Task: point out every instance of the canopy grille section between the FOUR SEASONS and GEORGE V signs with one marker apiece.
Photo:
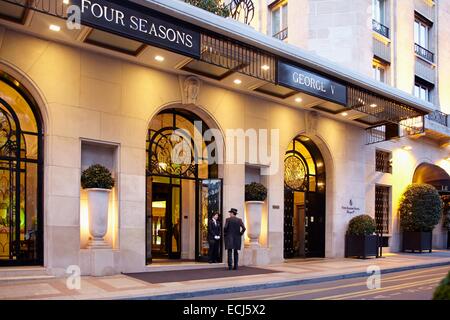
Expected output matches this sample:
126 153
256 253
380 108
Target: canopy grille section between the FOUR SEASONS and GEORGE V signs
238 58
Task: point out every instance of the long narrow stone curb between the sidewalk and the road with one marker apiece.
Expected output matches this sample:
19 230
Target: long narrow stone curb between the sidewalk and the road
281 284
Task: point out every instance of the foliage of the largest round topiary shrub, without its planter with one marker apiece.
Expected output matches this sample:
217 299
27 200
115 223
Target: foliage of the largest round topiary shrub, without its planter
420 208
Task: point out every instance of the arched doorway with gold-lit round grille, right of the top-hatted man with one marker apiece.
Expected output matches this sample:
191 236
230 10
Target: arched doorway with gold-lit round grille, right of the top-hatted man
304 200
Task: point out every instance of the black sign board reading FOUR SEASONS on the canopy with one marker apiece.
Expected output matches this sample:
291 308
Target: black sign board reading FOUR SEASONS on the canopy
141 25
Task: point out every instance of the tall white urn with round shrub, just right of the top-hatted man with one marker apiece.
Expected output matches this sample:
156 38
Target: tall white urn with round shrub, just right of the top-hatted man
255 195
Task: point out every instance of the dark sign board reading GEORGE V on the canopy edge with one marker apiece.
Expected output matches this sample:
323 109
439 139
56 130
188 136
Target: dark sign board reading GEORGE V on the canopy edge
306 81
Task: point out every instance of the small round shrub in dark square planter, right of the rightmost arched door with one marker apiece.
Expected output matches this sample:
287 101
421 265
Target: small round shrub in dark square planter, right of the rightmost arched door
360 240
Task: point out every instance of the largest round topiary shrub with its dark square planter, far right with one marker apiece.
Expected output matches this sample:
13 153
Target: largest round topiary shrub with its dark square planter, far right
420 211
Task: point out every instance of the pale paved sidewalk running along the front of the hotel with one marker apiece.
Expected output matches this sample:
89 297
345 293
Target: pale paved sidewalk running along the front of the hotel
289 273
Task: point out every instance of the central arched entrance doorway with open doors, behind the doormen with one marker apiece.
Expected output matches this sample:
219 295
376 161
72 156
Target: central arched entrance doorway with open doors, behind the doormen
183 188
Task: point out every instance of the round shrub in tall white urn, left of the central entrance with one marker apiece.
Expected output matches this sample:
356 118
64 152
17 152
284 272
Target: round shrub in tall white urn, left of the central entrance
98 182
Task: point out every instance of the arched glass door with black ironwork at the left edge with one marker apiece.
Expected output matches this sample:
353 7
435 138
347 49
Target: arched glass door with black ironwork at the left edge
21 236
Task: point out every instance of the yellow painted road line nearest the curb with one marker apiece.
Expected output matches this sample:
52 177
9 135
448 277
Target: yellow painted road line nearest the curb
275 296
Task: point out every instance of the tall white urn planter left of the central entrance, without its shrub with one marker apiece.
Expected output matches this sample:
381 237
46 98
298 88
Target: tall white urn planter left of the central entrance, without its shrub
98 203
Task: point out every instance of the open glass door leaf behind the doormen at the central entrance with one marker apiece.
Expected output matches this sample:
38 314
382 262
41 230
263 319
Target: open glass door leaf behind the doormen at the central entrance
209 203
